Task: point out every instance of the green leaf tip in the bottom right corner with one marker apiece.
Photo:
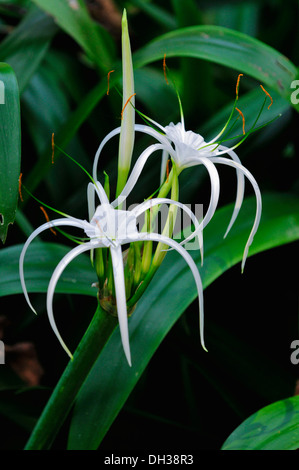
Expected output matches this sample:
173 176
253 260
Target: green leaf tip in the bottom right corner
275 427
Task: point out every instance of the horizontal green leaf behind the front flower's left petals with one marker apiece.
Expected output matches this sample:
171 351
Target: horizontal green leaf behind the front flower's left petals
40 262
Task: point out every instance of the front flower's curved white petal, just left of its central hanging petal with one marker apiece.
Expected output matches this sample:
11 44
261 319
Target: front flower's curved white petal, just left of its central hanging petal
52 284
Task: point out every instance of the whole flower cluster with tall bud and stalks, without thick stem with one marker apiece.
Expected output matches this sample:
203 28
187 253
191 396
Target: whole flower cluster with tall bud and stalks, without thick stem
124 274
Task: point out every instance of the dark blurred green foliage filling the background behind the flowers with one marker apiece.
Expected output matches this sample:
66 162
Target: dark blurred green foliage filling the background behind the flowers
61 52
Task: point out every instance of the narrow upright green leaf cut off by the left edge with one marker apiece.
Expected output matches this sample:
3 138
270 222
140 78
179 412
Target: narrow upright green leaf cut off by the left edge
10 147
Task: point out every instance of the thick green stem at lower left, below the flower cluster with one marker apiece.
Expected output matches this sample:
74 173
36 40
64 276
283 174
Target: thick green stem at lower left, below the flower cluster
60 403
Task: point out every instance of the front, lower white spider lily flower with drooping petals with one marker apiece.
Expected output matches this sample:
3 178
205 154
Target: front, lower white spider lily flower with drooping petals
111 228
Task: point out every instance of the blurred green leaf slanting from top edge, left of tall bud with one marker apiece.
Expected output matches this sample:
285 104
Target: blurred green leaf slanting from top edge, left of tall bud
75 20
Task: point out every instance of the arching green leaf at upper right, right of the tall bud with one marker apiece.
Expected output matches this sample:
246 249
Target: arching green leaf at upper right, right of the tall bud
226 47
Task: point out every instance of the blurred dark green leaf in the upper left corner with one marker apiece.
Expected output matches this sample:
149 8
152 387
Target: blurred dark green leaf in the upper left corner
27 45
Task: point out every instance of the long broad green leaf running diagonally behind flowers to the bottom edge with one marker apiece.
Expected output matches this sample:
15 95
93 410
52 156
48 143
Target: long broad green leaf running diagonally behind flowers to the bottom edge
172 290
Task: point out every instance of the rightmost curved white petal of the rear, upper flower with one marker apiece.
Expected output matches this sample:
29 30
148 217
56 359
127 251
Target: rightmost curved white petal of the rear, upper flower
226 161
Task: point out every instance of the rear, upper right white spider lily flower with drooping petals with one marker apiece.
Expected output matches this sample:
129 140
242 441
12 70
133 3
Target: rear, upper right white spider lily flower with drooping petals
188 149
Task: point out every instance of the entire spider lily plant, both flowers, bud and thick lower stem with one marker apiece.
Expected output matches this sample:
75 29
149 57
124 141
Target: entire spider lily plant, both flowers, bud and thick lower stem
125 251
